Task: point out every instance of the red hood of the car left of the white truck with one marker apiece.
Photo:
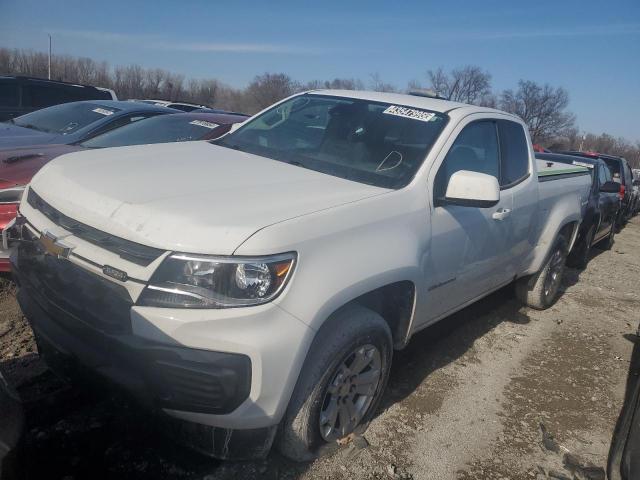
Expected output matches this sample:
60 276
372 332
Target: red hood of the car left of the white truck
19 165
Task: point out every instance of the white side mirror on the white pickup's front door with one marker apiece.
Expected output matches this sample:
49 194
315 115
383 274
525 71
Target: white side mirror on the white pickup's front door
472 189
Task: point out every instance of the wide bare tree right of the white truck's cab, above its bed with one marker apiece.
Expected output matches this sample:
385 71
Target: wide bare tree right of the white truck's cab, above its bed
542 107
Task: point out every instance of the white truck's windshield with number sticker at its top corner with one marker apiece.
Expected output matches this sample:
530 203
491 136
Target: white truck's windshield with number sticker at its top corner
369 142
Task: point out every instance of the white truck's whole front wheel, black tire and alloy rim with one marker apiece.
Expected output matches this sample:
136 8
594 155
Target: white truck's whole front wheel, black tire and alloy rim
352 334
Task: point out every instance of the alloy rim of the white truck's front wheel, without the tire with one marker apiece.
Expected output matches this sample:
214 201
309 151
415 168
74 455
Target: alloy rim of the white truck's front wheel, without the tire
350 392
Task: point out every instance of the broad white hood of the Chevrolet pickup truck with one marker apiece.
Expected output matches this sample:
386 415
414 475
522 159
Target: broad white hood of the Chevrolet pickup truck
192 197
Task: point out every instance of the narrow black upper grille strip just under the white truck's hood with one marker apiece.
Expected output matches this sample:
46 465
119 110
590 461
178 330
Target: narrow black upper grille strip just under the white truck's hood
126 249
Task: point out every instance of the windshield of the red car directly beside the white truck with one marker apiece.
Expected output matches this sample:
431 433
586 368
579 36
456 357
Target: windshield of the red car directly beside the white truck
161 129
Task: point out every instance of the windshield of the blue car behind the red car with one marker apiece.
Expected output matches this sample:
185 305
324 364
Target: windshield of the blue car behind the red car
65 118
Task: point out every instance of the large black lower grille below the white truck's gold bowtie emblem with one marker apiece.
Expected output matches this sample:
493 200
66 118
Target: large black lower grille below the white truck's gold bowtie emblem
70 293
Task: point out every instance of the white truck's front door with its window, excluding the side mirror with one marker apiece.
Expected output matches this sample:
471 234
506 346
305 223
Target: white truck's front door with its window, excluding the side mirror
469 253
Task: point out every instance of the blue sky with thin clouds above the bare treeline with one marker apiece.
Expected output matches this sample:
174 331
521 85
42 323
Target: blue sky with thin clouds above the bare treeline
589 47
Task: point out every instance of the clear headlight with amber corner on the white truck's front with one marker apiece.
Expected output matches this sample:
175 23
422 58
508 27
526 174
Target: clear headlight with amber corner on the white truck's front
194 281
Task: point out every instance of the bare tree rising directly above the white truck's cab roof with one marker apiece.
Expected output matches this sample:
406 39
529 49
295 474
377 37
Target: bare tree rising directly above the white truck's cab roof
465 84
